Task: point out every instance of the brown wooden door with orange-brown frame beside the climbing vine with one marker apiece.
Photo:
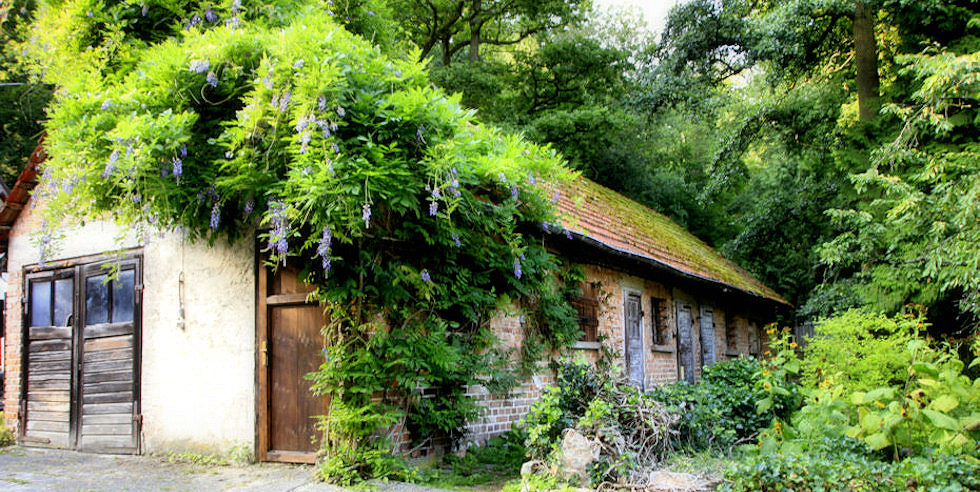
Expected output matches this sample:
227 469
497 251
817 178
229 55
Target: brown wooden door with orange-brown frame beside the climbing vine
290 346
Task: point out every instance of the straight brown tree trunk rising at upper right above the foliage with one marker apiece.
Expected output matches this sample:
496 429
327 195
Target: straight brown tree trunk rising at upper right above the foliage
866 60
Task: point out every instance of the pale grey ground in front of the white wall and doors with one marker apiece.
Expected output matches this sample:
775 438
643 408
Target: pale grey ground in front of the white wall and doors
30 469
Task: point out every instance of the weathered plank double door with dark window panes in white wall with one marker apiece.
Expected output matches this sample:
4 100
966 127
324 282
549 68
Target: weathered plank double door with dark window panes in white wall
81 356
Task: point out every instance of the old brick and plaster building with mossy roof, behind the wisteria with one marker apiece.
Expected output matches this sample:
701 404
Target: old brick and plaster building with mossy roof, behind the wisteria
196 348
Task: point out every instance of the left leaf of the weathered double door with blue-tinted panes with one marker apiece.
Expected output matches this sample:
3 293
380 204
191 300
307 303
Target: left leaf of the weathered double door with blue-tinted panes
48 359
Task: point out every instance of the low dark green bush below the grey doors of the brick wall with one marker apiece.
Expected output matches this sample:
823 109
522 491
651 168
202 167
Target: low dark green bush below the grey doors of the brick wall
719 411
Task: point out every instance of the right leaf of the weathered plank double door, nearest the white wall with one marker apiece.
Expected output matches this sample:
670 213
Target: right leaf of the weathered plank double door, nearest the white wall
107 351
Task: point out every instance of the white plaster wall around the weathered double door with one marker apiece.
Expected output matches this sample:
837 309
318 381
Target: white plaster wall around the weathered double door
198 377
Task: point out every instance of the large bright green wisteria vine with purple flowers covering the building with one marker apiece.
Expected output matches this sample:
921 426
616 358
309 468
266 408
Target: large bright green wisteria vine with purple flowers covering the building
415 223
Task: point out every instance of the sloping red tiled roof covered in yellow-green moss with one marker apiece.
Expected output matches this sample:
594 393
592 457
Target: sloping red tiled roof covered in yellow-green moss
600 214
